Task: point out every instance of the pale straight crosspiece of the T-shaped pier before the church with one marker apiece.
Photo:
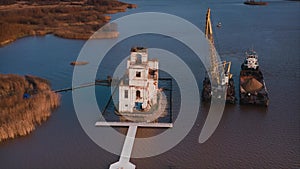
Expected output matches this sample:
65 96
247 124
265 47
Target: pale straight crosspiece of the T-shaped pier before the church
126 124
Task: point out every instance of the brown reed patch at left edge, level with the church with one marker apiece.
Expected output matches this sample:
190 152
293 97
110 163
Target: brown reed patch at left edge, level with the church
18 115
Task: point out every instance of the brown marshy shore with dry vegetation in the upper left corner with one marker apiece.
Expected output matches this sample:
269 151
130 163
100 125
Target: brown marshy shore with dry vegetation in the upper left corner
67 19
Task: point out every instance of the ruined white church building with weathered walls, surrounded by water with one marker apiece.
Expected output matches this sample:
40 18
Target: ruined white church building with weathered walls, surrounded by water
139 88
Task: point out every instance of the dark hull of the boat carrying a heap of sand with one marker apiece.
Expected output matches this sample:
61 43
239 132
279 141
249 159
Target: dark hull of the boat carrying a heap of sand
257 96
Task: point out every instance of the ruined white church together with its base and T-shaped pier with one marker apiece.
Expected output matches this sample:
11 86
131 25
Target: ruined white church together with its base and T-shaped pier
138 93
